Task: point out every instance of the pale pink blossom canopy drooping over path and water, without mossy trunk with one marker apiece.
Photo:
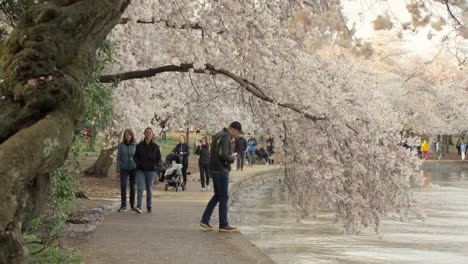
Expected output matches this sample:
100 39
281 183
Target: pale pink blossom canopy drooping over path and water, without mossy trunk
342 126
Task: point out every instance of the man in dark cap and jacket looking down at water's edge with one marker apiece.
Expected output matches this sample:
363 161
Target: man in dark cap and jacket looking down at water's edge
221 159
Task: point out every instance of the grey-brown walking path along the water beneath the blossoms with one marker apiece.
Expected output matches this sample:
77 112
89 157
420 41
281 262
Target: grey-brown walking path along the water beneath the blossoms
170 234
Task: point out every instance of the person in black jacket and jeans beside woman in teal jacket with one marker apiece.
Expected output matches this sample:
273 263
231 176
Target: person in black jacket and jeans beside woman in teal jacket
147 157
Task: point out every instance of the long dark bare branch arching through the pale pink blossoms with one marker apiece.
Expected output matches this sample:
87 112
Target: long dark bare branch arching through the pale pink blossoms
209 69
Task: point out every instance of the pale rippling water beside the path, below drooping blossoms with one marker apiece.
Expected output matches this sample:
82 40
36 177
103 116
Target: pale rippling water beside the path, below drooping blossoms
267 218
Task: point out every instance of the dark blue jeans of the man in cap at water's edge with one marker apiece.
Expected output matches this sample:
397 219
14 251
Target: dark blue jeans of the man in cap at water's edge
221 195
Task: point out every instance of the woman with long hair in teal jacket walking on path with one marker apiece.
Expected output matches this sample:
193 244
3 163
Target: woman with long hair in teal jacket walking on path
126 169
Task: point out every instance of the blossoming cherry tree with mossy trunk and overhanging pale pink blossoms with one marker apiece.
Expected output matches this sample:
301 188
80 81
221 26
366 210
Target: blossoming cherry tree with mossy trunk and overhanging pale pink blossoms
262 62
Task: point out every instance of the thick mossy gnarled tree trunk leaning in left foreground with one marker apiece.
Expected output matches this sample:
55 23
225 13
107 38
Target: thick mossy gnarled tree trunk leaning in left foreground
44 66
